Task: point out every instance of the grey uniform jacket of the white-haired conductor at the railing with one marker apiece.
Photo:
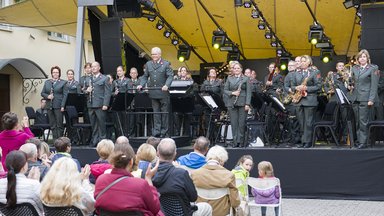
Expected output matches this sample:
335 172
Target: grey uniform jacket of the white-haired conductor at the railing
157 74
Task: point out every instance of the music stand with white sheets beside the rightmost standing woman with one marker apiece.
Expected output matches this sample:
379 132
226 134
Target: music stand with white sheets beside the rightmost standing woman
350 118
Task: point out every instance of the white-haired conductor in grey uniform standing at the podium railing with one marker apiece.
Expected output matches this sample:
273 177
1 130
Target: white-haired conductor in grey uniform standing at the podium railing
158 75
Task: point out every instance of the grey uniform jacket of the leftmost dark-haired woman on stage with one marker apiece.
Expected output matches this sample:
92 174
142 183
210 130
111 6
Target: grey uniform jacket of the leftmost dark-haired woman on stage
59 93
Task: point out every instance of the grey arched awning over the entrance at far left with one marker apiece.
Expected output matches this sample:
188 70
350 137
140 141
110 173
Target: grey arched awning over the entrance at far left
26 68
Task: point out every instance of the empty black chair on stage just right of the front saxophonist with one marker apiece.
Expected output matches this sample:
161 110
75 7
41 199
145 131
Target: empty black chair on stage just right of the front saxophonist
329 120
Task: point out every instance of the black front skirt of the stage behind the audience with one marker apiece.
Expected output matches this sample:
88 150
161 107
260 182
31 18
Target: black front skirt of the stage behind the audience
332 173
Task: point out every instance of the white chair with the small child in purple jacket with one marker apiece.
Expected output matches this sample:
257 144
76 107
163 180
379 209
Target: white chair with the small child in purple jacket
264 184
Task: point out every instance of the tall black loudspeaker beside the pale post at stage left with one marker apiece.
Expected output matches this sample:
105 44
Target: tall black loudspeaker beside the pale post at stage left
110 34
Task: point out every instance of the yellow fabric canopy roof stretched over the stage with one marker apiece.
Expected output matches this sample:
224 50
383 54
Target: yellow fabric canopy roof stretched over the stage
290 21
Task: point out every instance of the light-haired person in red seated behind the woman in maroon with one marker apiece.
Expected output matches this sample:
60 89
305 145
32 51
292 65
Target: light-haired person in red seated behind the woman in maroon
104 149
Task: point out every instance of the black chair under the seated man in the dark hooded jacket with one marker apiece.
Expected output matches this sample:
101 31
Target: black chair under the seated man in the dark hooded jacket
173 205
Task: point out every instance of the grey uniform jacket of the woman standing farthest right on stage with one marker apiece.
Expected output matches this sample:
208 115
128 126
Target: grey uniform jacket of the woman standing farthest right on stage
366 83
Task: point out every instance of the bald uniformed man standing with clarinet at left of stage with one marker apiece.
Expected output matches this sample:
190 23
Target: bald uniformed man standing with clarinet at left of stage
99 92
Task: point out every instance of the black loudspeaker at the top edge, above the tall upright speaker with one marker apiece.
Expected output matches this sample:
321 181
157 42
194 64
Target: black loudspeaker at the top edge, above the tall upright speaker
125 9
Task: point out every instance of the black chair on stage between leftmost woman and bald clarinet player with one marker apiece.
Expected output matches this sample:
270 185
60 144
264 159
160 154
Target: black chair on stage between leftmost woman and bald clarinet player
73 122
